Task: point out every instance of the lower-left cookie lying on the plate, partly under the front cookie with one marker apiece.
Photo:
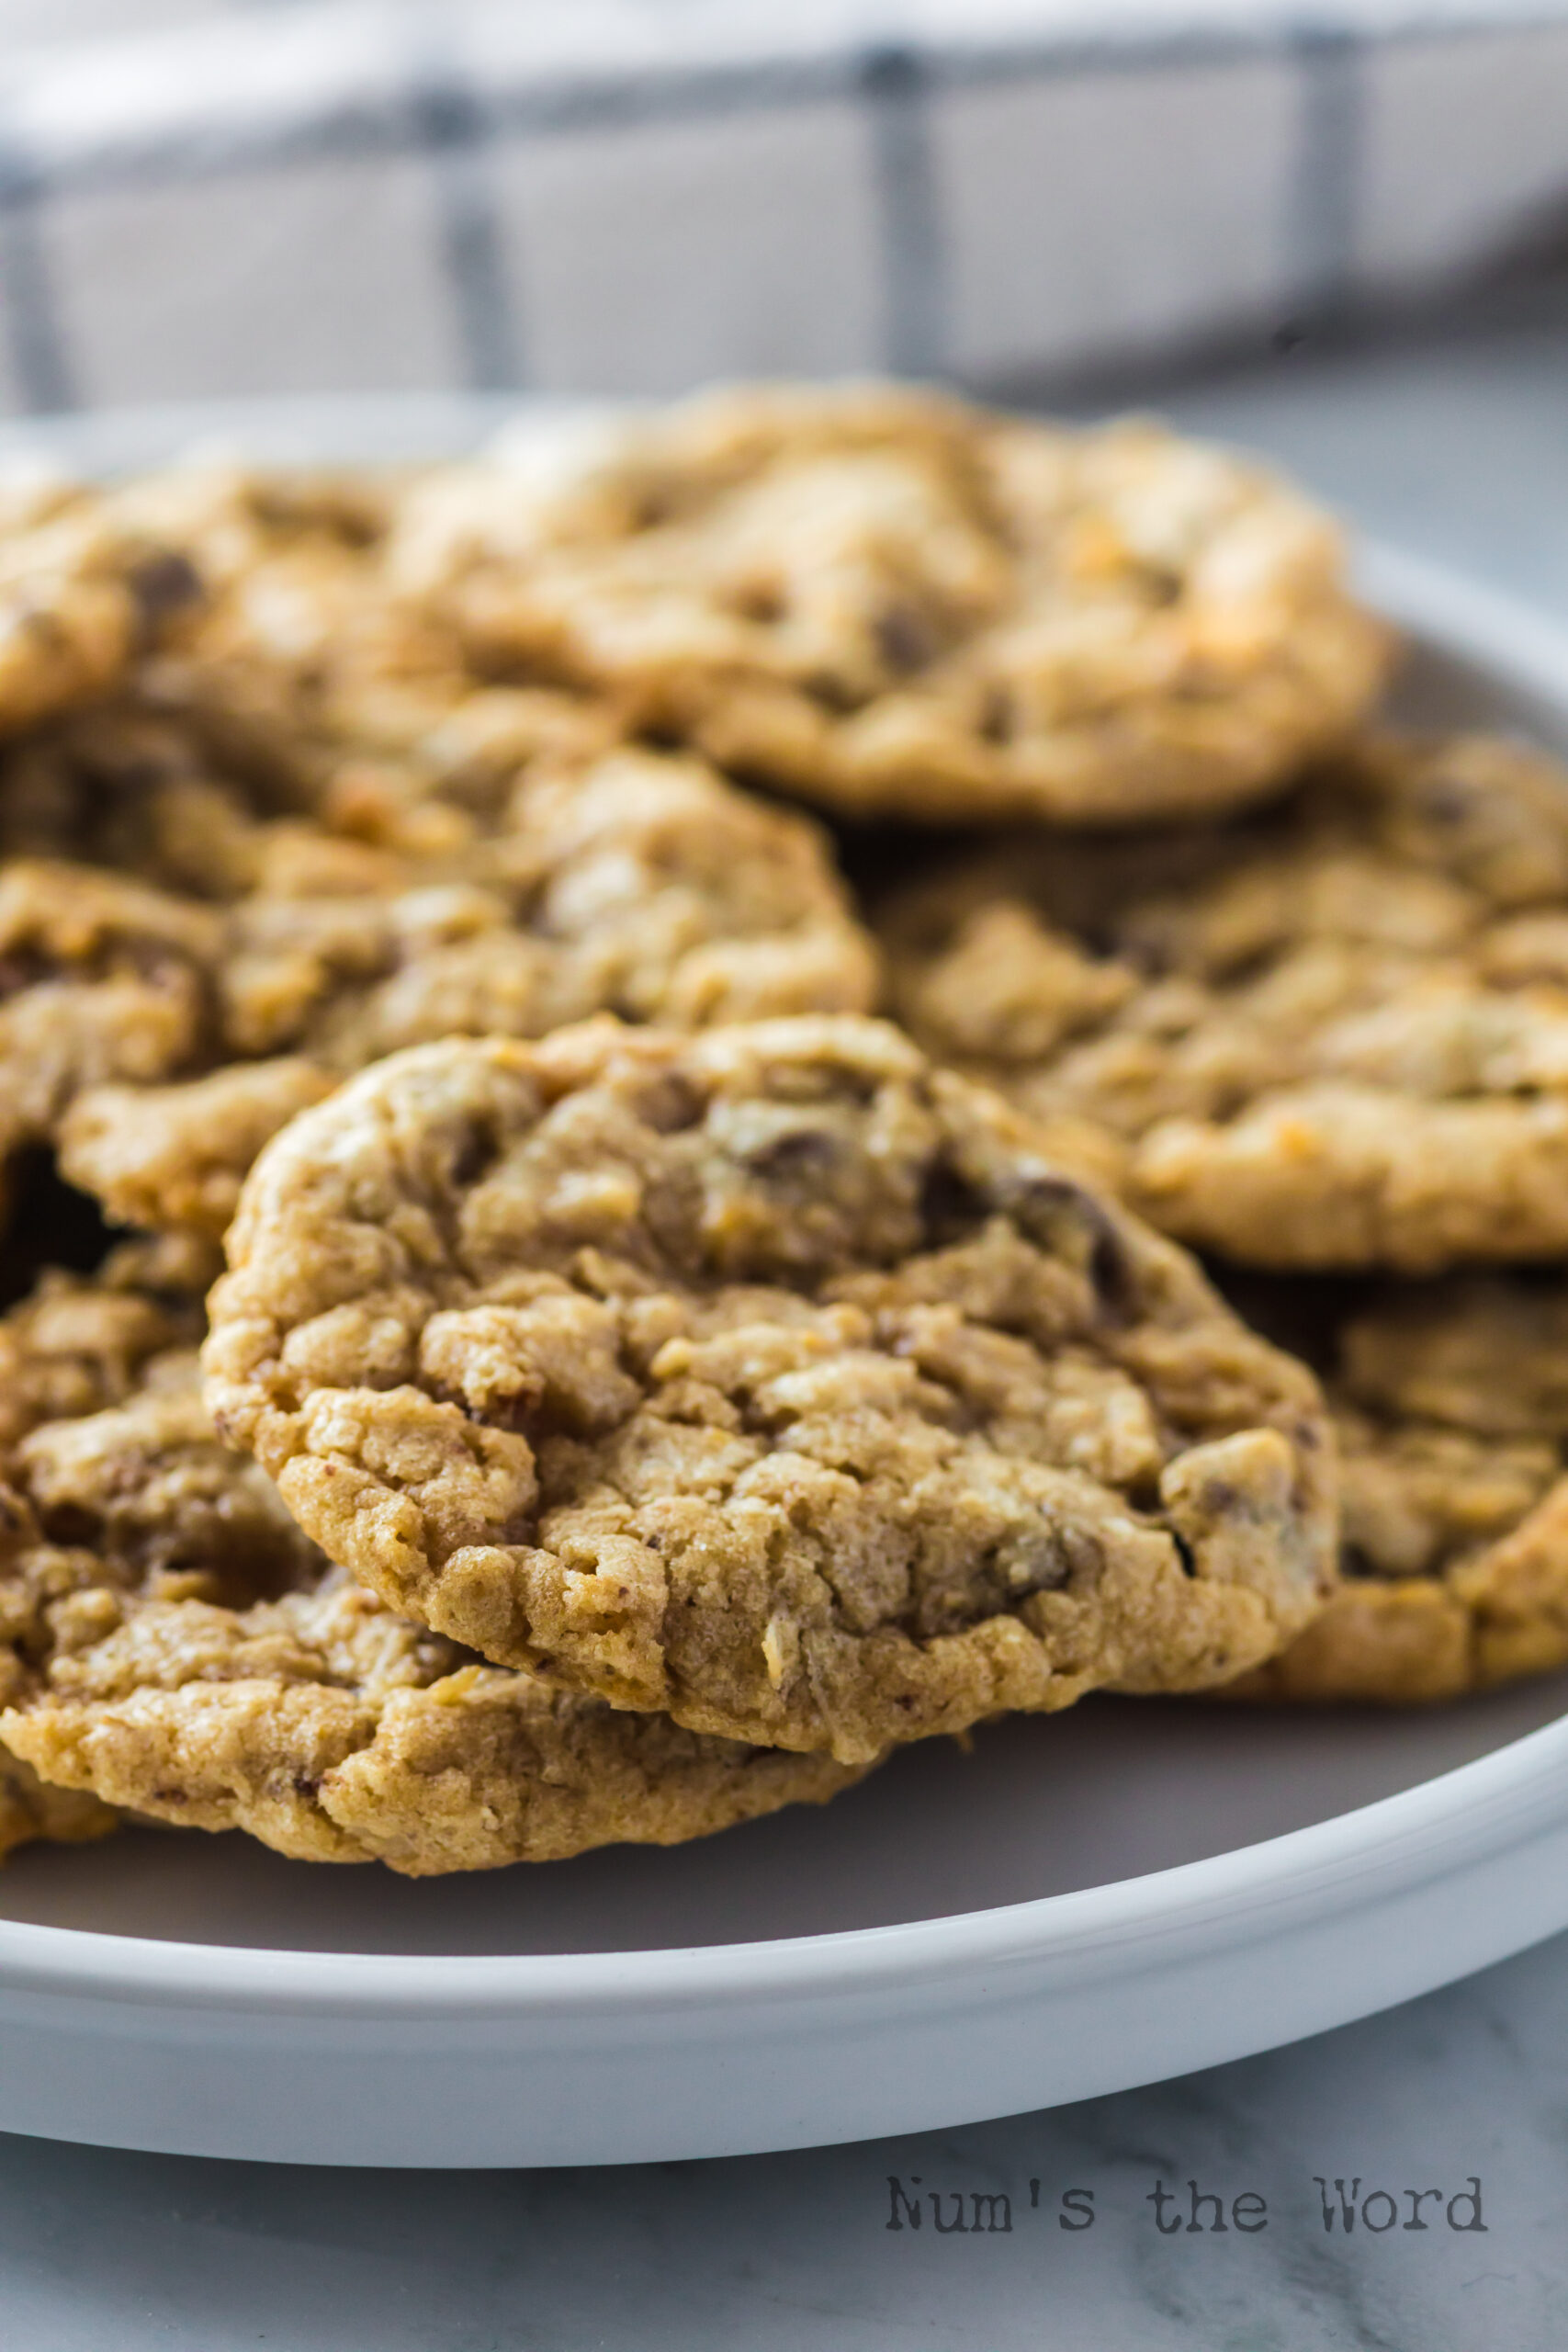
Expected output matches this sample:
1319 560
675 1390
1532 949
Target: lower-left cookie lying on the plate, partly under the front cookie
173 1645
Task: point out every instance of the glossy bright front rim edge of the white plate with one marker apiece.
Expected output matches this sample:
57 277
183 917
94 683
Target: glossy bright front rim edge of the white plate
1499 1800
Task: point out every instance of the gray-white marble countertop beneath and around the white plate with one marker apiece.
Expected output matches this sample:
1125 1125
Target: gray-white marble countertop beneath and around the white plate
1461 455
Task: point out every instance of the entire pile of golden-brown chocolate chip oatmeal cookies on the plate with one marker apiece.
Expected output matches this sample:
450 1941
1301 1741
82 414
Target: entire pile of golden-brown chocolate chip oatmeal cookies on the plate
648 1387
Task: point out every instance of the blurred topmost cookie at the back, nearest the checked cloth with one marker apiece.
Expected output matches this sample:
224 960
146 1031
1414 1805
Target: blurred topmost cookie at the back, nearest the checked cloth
892 603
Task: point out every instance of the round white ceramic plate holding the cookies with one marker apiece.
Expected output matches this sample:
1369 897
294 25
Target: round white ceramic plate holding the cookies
1078 1906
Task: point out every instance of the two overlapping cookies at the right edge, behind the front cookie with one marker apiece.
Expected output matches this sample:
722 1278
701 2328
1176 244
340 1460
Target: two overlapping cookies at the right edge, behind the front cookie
1329 1048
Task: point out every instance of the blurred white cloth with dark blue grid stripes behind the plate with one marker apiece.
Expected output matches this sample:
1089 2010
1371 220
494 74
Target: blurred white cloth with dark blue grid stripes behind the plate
1045 199
